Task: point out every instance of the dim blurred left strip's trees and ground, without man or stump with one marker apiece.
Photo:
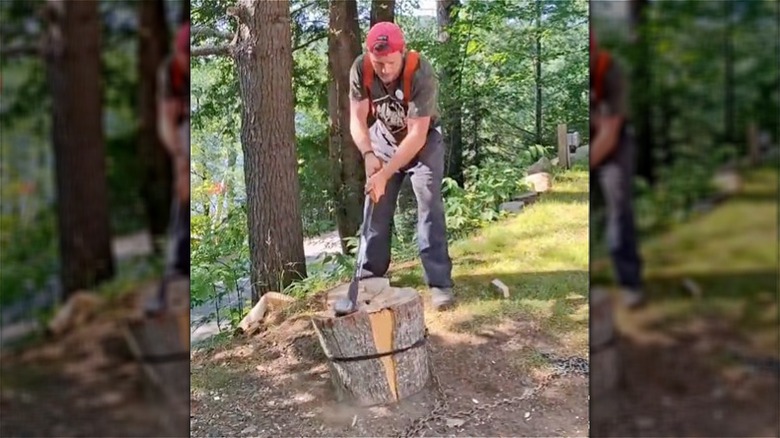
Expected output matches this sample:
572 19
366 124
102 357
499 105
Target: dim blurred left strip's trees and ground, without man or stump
86 195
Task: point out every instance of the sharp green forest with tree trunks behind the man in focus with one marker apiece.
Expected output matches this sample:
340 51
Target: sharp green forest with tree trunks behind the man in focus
509 73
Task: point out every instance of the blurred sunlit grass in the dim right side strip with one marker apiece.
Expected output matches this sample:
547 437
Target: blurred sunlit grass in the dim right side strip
731 255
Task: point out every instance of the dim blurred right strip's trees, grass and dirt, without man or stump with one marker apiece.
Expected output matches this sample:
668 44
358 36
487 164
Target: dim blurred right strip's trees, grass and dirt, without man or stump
701 357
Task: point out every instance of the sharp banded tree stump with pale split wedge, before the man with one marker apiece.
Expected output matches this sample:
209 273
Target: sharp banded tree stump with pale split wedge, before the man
376 355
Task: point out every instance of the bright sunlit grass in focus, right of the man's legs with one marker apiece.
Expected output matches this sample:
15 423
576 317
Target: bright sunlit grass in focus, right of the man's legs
541 255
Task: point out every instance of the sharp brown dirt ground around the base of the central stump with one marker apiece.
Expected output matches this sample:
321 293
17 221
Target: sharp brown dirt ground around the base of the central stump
278 384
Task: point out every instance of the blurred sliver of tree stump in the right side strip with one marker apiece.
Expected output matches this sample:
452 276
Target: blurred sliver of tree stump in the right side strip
604 363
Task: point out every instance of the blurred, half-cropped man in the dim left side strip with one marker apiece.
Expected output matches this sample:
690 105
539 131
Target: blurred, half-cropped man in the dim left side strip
173 114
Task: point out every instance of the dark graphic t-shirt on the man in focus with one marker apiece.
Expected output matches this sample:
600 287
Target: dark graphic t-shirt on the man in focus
389 129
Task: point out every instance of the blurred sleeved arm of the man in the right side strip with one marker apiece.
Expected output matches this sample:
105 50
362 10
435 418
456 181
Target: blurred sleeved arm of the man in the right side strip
610 124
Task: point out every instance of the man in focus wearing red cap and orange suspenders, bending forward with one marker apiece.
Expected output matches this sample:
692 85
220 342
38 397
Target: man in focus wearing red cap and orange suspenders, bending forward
405 139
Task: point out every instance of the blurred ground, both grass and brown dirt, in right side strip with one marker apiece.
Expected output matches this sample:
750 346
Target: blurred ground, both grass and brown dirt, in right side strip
701 359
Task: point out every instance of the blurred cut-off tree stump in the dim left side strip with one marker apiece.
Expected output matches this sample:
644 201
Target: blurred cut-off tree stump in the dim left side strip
161 345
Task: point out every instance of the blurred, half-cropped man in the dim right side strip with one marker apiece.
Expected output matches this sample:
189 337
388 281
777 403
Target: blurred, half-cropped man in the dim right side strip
612 162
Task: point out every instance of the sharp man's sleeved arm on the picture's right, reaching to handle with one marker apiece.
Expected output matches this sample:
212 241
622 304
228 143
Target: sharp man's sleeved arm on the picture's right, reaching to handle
422 105
